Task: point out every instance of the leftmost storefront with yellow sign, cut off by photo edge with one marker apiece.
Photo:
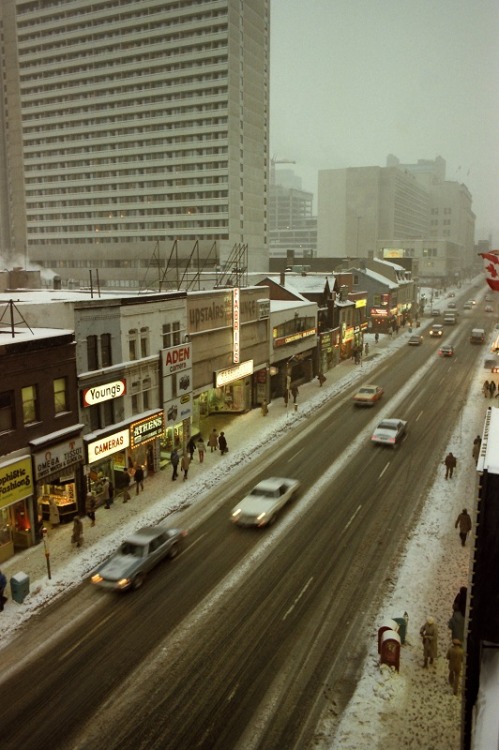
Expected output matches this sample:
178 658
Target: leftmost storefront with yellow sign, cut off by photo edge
17 519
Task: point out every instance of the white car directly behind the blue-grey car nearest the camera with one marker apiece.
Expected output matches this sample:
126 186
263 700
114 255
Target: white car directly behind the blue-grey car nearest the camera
261 506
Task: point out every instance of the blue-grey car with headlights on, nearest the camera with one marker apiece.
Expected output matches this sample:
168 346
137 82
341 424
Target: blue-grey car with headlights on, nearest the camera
136 556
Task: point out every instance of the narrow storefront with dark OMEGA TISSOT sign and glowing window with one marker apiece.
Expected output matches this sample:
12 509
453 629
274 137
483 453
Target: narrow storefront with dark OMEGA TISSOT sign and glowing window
57 468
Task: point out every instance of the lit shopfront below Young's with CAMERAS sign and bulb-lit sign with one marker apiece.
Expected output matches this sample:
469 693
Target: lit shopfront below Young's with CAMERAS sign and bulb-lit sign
115 455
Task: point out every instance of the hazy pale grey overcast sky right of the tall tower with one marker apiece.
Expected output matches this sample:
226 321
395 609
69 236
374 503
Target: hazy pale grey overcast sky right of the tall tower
355 80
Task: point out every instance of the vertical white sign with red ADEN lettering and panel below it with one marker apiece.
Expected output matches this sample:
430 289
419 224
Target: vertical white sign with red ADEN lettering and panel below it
177 382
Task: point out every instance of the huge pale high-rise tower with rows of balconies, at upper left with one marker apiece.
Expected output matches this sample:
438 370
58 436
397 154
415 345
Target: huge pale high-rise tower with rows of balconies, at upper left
133 130
